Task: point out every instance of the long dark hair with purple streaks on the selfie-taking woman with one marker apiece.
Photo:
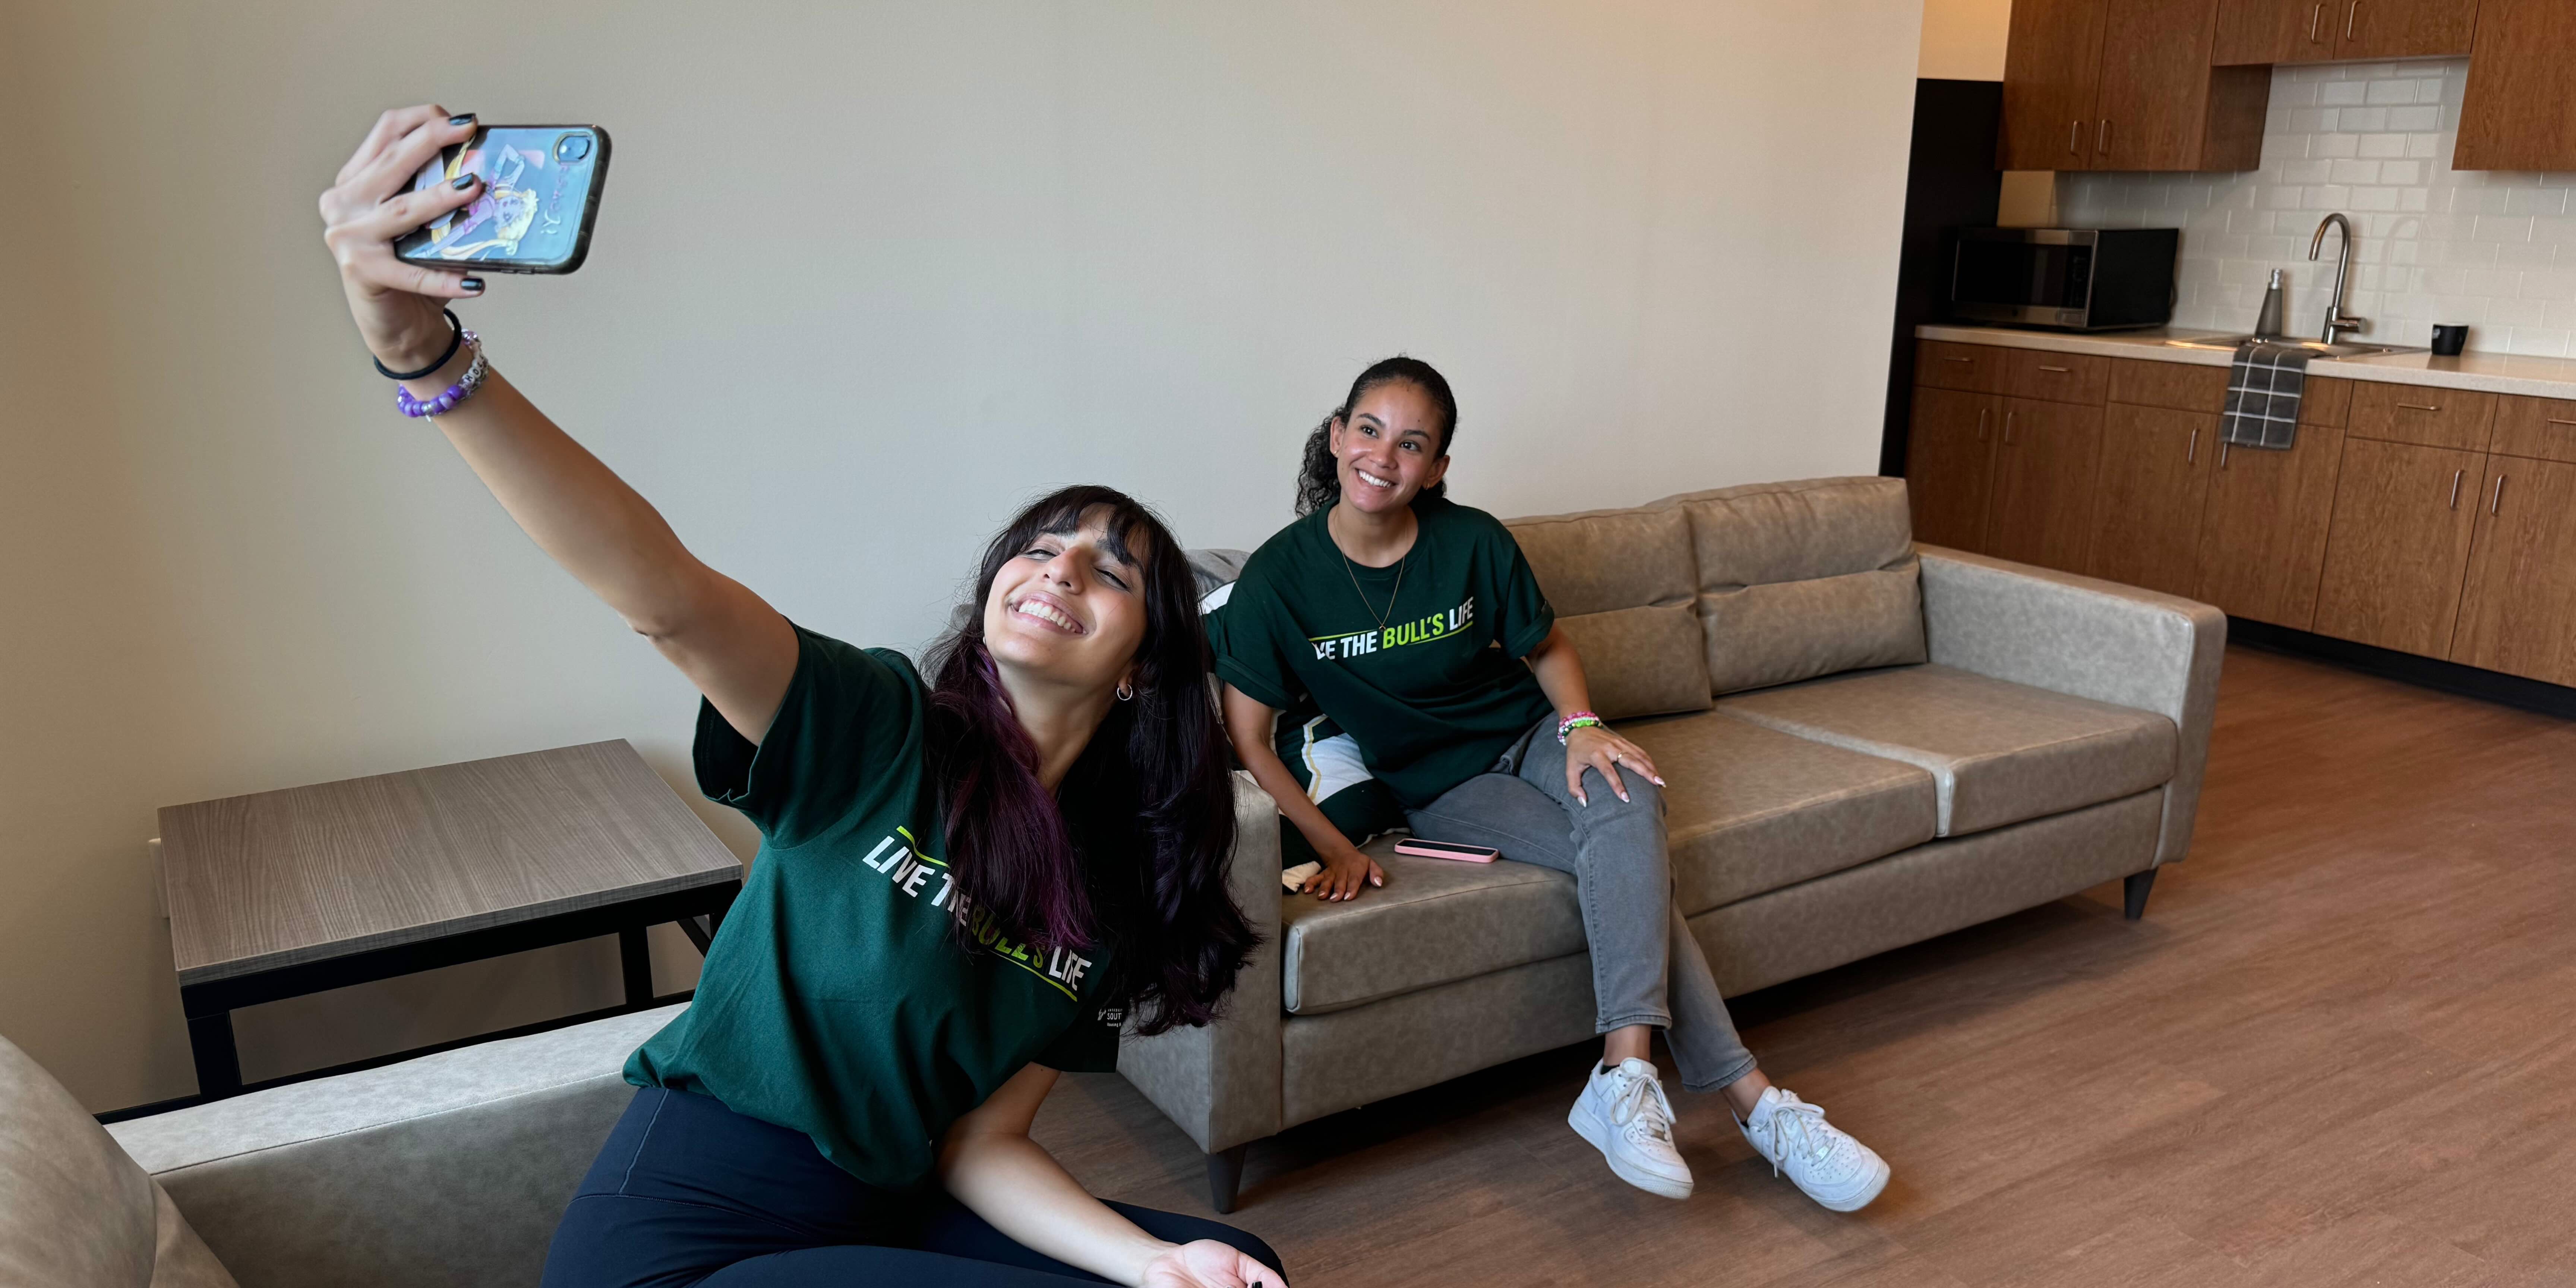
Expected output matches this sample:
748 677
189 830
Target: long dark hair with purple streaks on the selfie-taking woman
1132 849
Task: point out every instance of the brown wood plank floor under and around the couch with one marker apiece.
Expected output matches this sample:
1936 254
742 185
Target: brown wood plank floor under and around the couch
2338 1050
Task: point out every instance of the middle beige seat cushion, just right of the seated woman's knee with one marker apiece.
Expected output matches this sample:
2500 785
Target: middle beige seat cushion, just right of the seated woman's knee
1753 810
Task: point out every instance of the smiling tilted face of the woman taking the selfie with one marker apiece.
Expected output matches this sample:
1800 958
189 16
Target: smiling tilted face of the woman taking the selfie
1068 609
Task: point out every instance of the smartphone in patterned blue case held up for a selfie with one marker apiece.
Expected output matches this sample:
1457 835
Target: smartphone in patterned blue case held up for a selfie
542 189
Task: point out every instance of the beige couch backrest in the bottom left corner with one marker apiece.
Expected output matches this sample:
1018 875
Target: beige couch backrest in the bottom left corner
76 1212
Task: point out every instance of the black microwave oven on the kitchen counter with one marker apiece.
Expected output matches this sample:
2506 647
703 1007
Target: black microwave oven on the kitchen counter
2072 279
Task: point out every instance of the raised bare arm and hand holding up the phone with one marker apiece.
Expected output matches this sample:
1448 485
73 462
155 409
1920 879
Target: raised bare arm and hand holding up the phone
730 643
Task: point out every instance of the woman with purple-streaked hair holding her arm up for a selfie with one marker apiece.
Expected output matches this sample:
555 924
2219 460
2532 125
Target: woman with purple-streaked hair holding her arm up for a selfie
962 887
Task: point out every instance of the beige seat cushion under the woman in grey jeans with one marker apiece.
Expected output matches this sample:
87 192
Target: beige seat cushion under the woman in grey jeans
1431 923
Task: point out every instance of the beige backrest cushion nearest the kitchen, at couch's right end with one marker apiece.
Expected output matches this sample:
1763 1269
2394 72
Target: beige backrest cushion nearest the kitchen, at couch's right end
1804 578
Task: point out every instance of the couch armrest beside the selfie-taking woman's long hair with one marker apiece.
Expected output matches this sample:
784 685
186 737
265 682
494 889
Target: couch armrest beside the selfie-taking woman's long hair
1222 1083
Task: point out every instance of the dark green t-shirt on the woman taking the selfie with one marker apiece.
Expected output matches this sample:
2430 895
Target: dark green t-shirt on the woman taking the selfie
838 1001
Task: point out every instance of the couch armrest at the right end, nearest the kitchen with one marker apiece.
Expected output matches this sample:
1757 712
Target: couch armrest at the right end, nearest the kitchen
2093 640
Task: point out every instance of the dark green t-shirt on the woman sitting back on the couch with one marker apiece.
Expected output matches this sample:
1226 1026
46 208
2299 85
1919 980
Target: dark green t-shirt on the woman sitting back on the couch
1436 692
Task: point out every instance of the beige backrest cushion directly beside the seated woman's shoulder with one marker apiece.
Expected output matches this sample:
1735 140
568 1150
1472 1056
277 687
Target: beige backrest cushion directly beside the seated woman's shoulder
1622 586
